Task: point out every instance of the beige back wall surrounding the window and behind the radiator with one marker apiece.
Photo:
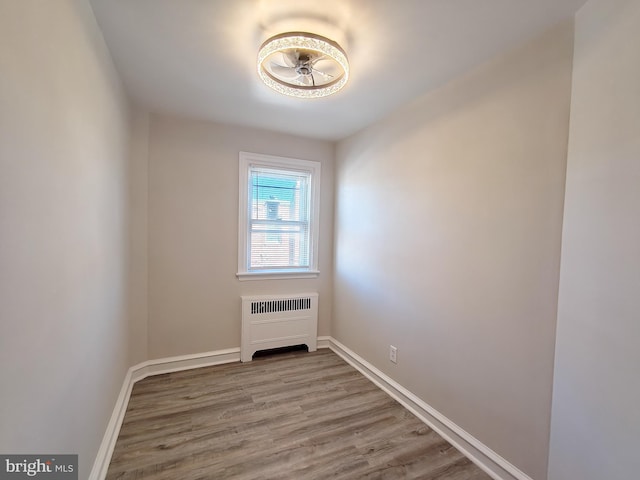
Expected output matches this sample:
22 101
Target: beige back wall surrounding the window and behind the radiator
194 295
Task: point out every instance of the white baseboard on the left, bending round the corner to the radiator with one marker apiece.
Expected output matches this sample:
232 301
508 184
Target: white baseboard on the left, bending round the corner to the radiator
137 373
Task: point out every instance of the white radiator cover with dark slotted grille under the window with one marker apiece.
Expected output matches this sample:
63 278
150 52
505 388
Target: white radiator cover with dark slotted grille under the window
273 321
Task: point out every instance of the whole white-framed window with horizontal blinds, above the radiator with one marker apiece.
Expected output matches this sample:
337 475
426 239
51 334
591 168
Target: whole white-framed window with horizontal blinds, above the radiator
278 220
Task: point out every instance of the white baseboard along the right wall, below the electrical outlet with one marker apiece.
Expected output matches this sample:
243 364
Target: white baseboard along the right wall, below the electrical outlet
489 461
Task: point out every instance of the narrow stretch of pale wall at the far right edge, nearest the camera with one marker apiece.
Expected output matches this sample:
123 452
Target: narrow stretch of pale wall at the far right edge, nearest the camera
596 414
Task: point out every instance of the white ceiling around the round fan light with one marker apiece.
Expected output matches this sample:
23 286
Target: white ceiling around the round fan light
197 58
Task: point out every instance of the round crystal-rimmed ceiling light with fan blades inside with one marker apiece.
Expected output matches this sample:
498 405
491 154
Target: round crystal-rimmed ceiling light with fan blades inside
303 65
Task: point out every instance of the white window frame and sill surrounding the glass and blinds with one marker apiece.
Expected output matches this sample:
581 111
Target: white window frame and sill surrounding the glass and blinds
248 160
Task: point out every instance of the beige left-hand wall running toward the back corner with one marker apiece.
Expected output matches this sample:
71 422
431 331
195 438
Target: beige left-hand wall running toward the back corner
63 230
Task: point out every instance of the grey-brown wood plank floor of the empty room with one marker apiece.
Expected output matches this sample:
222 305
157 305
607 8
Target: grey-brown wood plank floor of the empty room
295 416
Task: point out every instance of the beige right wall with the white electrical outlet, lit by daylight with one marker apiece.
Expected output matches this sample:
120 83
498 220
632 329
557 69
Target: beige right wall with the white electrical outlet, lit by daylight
447 245
